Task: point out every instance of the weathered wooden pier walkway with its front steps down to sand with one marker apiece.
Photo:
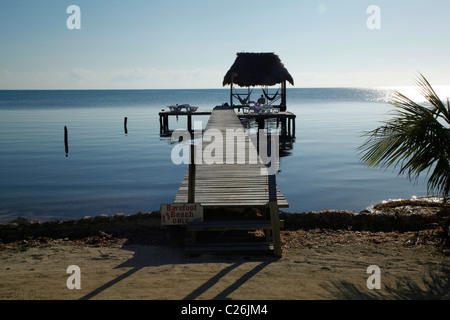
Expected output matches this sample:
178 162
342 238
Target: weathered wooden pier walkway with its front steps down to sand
221 187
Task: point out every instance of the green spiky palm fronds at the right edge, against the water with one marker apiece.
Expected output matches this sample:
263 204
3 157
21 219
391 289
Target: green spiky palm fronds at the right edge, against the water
416 140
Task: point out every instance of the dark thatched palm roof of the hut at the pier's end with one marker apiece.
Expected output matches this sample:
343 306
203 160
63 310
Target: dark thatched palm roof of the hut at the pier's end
257 69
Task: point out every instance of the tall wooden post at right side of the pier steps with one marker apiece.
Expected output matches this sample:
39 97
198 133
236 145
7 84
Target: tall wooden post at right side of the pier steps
273 205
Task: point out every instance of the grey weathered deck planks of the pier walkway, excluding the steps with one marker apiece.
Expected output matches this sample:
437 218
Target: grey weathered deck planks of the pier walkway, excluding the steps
230 185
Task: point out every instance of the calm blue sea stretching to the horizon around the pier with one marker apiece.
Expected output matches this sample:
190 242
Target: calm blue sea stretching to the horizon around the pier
109 171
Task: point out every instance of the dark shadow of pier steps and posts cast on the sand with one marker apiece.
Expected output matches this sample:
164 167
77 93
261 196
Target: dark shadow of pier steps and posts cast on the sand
151 256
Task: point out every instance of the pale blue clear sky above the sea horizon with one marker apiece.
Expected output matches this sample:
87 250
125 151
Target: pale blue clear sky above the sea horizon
155 44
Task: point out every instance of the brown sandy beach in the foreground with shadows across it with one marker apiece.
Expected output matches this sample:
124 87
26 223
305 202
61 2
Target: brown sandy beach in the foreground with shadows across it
316 265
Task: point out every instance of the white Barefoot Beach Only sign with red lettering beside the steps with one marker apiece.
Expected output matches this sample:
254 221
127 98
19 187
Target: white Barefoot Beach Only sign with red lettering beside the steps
181 213
